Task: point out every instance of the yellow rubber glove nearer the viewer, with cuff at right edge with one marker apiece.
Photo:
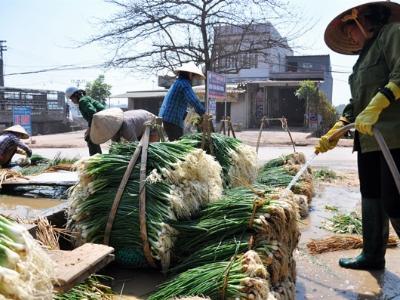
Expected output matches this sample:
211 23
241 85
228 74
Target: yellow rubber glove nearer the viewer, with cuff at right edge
370 115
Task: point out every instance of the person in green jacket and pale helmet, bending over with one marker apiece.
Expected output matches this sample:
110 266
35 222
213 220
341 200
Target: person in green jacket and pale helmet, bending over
88 107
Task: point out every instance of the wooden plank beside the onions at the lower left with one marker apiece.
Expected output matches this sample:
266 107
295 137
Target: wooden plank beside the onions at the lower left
73 267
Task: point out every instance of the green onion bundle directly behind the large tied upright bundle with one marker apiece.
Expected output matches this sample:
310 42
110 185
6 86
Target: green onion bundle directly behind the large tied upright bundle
238 161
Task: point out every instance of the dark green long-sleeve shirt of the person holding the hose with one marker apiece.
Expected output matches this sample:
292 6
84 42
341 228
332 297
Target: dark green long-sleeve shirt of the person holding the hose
378 63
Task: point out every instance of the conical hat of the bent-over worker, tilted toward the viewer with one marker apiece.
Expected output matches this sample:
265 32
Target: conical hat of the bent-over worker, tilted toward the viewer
105 124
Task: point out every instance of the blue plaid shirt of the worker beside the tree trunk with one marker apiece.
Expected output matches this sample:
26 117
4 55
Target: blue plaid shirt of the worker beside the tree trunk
179 96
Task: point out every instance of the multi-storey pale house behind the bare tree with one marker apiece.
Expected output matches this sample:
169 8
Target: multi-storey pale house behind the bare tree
259 58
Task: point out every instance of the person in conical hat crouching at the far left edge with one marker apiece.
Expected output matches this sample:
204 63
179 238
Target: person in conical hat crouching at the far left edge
10 144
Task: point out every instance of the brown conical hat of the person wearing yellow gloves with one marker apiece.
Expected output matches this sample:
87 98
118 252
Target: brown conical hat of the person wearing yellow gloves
339 42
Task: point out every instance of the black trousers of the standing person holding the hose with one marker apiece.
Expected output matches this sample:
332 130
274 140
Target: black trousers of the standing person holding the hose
377 182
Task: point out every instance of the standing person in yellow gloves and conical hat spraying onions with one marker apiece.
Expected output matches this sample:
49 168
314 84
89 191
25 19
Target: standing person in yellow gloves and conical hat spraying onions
371 31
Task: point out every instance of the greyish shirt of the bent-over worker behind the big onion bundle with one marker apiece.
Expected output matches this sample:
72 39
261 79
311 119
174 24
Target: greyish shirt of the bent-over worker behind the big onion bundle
133 125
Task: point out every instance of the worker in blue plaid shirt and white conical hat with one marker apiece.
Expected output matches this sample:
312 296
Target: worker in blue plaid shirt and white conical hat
180 95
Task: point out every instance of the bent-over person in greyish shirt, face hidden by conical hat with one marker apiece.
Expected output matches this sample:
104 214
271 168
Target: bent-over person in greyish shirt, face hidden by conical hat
114 124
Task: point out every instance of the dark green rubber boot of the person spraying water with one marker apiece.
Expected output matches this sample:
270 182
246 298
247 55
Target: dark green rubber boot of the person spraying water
375 235
